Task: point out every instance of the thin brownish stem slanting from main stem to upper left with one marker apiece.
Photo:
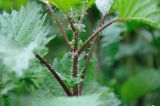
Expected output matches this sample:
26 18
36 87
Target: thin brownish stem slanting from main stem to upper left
59 25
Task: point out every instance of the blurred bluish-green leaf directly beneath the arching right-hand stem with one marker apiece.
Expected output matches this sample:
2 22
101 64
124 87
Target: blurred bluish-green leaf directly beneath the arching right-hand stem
109 43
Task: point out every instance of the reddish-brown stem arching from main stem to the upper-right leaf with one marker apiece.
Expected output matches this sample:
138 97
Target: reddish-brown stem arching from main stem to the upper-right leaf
96 33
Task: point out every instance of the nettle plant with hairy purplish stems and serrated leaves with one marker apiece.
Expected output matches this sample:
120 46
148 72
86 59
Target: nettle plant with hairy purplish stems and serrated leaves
24 35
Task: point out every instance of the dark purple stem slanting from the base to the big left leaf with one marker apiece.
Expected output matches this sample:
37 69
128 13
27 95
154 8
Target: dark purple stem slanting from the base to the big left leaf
54 73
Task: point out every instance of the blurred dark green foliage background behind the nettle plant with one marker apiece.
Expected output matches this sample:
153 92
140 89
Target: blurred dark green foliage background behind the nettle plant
129 65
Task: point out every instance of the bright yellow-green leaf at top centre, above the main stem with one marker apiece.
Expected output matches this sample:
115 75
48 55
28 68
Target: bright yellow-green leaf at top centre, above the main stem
65 5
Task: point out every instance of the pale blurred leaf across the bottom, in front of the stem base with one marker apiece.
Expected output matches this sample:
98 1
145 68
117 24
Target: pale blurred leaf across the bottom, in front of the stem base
103 98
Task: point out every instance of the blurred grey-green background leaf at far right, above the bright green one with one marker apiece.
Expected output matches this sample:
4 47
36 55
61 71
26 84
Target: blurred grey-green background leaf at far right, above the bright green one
141 46
